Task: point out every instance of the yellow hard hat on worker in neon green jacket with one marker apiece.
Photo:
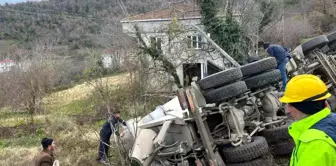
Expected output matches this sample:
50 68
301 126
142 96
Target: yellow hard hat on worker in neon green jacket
305 87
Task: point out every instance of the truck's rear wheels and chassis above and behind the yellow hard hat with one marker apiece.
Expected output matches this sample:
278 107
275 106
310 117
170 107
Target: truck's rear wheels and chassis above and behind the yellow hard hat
316 56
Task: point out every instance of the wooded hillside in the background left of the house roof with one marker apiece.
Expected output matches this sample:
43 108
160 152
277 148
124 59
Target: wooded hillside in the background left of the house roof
72 23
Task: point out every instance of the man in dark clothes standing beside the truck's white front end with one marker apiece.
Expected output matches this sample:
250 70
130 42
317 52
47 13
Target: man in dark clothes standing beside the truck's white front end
105 134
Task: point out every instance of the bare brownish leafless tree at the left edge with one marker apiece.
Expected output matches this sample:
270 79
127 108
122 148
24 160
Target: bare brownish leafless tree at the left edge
29 80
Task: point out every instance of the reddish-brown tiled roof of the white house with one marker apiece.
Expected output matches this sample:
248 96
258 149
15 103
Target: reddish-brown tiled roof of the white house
180 11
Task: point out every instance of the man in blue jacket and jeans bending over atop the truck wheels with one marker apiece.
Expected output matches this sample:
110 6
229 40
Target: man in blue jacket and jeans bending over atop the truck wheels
282 57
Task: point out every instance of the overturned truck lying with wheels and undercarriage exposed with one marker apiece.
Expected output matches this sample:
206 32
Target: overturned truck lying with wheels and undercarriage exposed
233 117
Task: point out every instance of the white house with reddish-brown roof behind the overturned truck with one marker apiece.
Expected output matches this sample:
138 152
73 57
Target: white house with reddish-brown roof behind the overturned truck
197 58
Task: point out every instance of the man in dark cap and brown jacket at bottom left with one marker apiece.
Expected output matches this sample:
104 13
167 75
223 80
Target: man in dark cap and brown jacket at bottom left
46 156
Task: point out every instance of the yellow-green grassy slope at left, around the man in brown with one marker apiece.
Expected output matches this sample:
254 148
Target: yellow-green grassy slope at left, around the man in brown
77 144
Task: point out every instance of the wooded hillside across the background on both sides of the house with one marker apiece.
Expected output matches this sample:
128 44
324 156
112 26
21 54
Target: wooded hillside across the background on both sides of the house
85 23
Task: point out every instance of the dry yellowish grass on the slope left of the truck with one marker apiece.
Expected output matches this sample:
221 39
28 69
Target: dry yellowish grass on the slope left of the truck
76 145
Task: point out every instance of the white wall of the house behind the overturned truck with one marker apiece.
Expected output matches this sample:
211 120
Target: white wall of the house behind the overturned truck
179 53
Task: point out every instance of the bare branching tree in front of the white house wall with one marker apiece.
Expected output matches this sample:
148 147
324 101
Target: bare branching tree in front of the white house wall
160 56
